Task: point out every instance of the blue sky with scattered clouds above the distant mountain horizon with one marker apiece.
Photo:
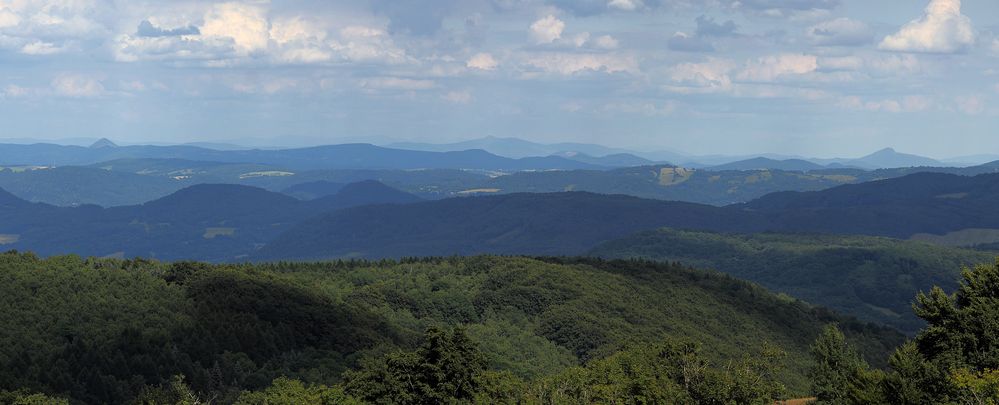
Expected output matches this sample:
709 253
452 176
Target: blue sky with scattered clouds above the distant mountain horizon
817 78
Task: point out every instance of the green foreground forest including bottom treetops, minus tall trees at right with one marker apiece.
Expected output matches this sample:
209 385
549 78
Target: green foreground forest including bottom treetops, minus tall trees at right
500 329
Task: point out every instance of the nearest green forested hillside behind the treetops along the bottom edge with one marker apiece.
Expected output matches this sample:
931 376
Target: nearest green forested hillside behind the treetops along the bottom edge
228 329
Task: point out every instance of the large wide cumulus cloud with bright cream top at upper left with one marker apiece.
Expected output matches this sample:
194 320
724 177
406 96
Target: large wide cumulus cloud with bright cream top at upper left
233 33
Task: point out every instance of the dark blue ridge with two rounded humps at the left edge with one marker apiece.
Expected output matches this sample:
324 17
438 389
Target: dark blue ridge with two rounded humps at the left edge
217 222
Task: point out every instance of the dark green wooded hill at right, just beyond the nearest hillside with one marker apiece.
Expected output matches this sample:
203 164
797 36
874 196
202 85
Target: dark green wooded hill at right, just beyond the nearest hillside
868 277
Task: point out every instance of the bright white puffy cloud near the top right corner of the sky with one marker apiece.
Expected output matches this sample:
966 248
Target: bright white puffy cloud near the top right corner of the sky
943 29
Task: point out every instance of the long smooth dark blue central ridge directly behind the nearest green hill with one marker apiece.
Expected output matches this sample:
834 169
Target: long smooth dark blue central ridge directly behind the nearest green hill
537 224
